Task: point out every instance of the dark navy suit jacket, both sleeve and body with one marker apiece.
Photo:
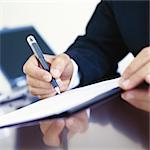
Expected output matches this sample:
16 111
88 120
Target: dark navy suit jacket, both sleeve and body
115 29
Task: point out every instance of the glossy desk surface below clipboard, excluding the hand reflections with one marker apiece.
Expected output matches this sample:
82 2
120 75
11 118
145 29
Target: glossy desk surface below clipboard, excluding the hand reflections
113 125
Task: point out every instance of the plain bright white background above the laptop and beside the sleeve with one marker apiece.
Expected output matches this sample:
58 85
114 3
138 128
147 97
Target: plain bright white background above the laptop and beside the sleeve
58 21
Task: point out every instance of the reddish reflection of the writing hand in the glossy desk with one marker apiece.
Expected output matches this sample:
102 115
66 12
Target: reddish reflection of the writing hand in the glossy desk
52 129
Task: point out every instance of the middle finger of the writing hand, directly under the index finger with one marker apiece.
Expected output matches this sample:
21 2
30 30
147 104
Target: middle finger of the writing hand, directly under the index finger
38 83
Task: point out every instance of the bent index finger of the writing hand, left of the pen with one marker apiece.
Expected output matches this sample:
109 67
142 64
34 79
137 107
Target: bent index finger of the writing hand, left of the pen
31 68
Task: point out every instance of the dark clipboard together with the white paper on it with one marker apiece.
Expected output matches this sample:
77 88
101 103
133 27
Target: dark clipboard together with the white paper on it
98 97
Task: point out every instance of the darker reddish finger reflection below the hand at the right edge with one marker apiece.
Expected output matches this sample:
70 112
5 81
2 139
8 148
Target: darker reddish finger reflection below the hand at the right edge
139 99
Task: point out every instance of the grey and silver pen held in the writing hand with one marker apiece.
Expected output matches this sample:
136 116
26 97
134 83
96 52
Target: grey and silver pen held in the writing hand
39 55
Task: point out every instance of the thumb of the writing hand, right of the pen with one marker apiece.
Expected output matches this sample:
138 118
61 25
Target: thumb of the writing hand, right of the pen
59 64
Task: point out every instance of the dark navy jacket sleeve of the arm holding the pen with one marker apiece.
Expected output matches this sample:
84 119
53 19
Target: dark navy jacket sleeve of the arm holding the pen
99 50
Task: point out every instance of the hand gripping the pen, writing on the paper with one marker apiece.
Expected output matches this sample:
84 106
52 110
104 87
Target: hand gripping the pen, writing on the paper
39 80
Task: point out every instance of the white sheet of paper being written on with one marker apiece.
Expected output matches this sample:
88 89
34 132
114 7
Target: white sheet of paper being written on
57 104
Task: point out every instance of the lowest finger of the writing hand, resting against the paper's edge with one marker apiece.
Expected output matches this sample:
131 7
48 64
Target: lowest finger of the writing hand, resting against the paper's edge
40 91
